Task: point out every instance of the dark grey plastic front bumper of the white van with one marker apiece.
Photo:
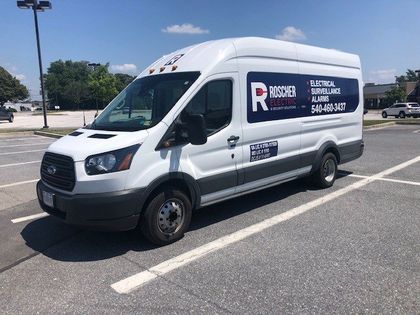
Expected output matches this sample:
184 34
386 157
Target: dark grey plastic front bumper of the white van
113 211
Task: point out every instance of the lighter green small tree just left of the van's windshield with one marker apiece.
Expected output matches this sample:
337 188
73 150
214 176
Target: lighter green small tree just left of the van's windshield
102 84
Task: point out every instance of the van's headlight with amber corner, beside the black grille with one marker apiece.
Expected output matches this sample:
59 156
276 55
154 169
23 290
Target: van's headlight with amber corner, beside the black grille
109 162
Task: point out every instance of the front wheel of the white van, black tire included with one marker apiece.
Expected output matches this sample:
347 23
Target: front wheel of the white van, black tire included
157 212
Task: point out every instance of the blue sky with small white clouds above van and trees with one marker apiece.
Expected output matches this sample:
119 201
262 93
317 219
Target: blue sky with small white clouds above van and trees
131 34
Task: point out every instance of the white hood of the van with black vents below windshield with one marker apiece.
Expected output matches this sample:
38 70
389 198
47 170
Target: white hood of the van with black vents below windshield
85 142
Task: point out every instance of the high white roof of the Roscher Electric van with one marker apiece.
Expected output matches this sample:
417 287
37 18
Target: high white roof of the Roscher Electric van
206 55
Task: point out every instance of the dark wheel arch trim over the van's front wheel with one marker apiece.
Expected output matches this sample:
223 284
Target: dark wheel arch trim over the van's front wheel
188 180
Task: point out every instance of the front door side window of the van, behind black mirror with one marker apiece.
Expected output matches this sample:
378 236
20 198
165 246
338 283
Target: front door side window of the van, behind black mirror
214 102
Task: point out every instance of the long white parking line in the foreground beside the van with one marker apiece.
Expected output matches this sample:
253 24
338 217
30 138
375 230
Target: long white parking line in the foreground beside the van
131 283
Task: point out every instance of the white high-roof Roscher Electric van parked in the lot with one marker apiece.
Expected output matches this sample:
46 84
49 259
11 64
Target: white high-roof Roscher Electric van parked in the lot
204 124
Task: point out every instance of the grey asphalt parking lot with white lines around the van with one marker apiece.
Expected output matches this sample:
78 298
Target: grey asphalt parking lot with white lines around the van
353 248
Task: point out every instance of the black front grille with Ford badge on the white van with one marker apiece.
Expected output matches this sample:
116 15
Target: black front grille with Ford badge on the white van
64 176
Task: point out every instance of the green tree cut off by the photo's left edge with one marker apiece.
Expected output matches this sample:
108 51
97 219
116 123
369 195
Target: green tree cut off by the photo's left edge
10 88
